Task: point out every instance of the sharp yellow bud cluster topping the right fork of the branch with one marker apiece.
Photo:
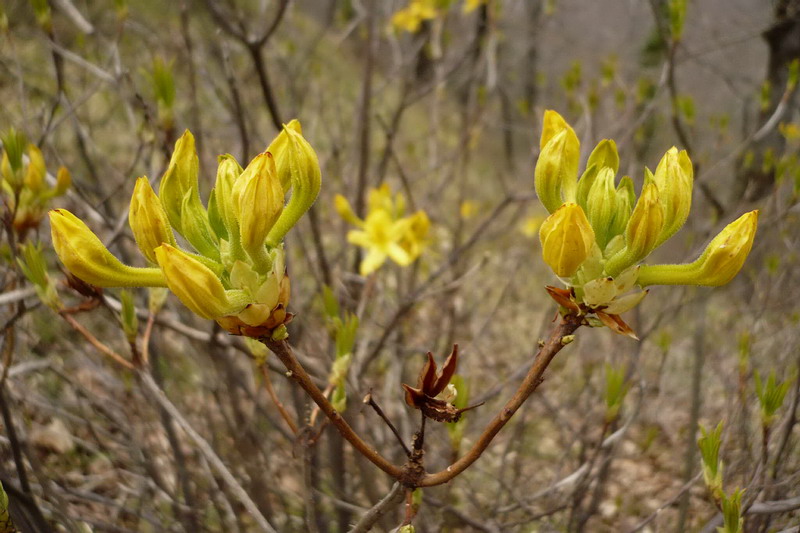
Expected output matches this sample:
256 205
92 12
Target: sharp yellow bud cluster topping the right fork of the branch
598 232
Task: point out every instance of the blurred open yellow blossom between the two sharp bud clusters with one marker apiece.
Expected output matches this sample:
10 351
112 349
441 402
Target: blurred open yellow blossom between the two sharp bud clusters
385 232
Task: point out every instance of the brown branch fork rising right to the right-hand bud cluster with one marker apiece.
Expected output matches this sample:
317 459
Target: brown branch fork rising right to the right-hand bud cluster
567 326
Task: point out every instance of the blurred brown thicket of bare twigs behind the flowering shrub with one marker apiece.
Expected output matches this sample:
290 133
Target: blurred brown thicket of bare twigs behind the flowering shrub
442 101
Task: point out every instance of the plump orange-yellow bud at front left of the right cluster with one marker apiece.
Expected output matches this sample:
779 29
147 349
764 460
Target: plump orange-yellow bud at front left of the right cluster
567 239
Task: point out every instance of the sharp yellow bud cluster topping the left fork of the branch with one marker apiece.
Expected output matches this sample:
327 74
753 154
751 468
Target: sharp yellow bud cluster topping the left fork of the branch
236 275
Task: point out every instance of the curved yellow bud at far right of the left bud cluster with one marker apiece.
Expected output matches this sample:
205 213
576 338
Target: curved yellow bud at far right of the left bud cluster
305 183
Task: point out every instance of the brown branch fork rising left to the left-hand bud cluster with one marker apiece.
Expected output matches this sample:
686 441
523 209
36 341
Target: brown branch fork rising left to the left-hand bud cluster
284 352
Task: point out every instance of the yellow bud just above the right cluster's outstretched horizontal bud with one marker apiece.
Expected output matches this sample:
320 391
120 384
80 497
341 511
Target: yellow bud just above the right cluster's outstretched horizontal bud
641 233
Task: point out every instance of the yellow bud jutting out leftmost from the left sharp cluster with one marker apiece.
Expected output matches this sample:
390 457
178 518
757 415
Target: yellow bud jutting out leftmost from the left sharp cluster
88 259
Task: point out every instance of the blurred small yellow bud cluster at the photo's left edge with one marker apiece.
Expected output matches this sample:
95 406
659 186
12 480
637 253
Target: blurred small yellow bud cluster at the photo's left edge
24 182
